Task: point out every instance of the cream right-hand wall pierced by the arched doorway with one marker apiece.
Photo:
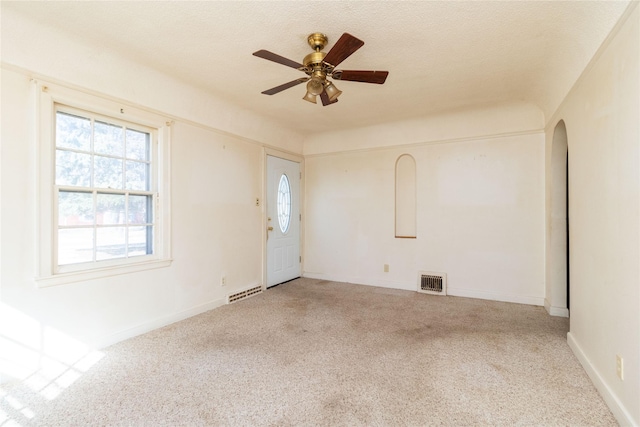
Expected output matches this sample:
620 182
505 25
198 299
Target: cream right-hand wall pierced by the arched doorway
601 114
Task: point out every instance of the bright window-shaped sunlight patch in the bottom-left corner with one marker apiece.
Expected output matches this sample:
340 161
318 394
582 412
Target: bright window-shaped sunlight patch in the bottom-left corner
40 357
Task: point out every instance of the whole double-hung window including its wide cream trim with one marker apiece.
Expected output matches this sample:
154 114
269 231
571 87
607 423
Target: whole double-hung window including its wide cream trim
103 180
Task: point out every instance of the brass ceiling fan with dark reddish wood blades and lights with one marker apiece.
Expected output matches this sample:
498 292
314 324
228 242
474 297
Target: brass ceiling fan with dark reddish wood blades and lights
318 66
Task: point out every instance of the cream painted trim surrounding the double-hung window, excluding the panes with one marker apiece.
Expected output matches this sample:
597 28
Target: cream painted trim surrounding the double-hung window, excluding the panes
48 97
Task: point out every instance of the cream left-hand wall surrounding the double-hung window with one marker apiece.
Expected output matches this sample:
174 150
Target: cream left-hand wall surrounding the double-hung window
217 157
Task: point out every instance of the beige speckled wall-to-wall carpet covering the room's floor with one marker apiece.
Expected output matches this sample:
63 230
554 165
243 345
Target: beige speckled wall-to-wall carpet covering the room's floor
312 352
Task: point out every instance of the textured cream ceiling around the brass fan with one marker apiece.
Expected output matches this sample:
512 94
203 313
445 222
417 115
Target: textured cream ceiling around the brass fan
441 55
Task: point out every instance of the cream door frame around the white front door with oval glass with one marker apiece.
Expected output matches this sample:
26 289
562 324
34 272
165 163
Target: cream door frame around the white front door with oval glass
294 158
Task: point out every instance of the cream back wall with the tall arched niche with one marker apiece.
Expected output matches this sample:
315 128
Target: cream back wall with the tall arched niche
480 207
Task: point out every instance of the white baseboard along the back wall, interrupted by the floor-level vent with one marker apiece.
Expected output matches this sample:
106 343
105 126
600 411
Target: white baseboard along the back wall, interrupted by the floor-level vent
412 286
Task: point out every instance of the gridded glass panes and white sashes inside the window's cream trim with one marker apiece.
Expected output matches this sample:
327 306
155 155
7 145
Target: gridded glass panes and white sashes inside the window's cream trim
104 188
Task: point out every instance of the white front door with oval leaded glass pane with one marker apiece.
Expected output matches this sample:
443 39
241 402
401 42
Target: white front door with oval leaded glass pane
283 220
